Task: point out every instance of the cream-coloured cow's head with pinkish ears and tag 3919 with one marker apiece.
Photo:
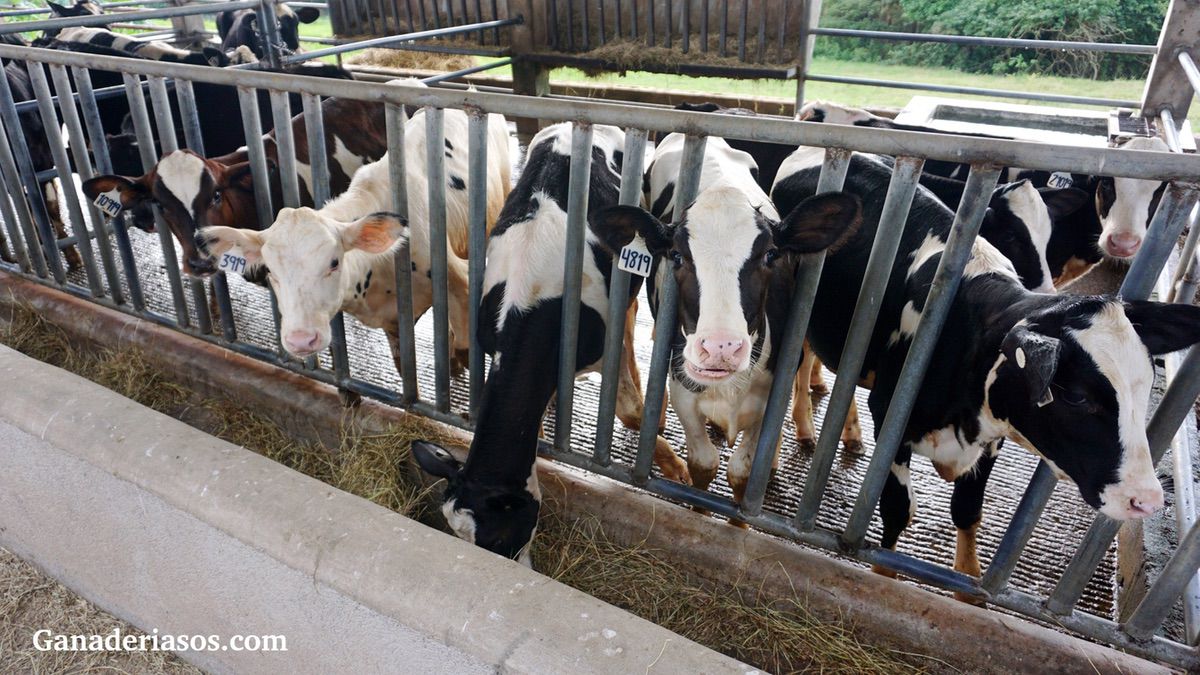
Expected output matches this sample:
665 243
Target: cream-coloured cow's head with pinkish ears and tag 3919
303 254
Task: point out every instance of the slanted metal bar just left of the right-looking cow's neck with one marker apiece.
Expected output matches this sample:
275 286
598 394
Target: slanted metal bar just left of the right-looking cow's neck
981 182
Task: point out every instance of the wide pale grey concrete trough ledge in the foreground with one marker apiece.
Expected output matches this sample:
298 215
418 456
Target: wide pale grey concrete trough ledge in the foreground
122 504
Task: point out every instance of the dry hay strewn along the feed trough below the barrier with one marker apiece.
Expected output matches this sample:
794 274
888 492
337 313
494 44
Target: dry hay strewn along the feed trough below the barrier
777 635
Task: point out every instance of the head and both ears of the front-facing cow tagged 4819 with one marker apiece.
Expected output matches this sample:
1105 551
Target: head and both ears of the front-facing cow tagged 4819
723 255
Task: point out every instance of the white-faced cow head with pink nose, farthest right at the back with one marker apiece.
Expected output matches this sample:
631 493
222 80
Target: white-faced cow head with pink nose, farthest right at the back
1126 206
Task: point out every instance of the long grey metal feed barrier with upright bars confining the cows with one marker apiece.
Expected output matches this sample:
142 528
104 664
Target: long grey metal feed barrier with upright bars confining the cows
116 280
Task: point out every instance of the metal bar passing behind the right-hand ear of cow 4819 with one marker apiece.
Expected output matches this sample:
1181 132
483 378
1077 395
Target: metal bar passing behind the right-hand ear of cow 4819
808 276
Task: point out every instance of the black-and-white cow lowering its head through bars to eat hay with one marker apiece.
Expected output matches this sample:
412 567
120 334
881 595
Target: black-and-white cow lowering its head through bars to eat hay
494 500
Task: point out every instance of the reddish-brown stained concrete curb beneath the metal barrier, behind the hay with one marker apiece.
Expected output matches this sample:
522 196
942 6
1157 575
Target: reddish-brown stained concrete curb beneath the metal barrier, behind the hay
881 612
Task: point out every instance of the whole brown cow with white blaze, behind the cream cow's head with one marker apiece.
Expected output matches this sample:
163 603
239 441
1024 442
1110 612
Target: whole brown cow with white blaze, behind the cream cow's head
195 193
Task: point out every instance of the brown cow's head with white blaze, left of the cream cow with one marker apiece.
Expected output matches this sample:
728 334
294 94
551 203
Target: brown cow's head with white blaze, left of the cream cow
193 193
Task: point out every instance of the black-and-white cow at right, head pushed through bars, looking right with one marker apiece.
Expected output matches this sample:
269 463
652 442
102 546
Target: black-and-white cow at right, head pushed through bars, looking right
1067 378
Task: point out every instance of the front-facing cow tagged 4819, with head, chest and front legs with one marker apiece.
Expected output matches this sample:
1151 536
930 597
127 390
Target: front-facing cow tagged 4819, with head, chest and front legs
735 262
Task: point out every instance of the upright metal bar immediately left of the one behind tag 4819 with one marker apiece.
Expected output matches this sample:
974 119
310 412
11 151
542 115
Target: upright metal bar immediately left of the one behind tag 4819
573 279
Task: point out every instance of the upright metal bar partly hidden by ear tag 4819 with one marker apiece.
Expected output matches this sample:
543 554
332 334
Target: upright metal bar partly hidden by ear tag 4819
619 290
